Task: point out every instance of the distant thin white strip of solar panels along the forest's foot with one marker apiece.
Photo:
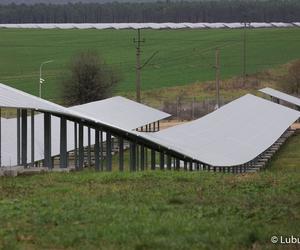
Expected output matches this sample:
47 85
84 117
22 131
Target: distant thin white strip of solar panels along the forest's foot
118 26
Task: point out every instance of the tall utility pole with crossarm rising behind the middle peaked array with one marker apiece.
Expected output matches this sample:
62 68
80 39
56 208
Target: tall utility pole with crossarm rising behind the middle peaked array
138 42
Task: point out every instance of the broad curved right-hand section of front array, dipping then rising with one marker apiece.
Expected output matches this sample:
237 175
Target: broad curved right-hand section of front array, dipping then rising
233 135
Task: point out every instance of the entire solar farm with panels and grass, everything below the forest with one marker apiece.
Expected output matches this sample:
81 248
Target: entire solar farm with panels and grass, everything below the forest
119 173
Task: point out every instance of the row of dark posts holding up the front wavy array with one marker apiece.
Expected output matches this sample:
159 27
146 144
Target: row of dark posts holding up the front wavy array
138 153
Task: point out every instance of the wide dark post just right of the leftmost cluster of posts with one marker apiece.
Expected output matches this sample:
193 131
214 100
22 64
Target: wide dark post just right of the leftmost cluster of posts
47 140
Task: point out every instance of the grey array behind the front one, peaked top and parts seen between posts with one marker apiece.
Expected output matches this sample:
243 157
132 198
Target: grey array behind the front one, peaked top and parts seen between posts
115 111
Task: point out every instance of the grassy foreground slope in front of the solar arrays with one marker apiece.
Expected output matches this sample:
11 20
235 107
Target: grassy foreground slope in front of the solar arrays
153 210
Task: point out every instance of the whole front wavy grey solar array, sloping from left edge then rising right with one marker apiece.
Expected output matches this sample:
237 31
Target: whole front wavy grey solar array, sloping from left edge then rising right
230 136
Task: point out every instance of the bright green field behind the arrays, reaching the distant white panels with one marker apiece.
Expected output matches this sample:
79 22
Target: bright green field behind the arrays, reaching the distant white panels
184 56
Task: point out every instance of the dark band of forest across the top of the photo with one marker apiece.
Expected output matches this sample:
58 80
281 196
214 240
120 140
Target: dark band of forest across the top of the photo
162 11
